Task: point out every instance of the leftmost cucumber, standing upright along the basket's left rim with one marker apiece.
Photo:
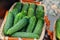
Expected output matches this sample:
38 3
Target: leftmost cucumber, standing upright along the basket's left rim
9 23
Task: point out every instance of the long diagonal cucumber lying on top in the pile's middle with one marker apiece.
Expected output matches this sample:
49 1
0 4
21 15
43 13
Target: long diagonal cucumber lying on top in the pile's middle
22 23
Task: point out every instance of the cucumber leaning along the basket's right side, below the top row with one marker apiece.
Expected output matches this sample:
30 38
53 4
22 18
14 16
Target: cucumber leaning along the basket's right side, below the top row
39 26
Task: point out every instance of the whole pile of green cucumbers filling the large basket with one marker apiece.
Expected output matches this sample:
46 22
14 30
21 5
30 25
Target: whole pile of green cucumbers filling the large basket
25 21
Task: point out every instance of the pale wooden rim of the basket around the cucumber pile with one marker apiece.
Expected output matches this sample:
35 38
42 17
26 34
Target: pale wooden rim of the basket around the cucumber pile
3 37
